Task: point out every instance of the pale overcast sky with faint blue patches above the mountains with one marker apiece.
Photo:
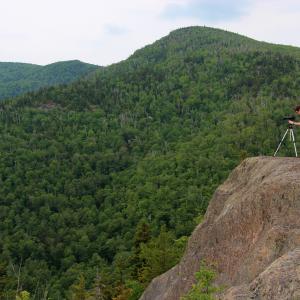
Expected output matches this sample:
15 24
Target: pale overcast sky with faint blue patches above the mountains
104 32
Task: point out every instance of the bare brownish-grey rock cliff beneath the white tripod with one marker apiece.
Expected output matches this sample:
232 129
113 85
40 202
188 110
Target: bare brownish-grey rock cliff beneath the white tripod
251 232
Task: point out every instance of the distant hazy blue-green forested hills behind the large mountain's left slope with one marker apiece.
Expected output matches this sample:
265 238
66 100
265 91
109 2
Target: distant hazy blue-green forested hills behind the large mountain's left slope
19 78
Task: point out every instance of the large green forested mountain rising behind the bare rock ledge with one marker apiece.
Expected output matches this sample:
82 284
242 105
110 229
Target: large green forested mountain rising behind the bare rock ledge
102 180
